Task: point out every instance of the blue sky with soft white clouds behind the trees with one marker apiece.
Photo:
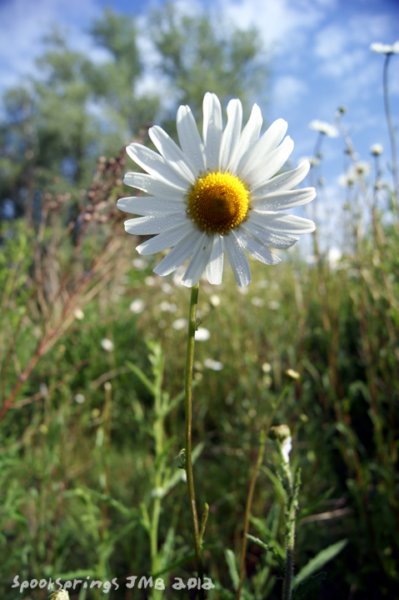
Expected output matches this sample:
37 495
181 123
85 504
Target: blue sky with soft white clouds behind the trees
318 50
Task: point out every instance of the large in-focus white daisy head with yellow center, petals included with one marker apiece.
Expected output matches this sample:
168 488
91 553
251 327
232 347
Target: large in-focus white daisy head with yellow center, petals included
216 195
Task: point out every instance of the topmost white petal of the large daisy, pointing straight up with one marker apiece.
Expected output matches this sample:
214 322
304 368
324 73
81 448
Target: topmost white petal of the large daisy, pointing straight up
212 129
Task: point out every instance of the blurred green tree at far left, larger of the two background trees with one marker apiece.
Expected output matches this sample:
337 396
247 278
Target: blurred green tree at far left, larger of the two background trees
57 123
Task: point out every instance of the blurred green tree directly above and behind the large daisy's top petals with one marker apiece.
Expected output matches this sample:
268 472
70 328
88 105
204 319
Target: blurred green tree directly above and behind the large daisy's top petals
207 53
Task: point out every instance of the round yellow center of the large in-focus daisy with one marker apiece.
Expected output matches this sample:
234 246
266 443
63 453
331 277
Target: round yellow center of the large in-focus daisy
218 202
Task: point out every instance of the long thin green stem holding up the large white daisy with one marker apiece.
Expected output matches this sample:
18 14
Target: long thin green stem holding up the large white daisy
188 404
